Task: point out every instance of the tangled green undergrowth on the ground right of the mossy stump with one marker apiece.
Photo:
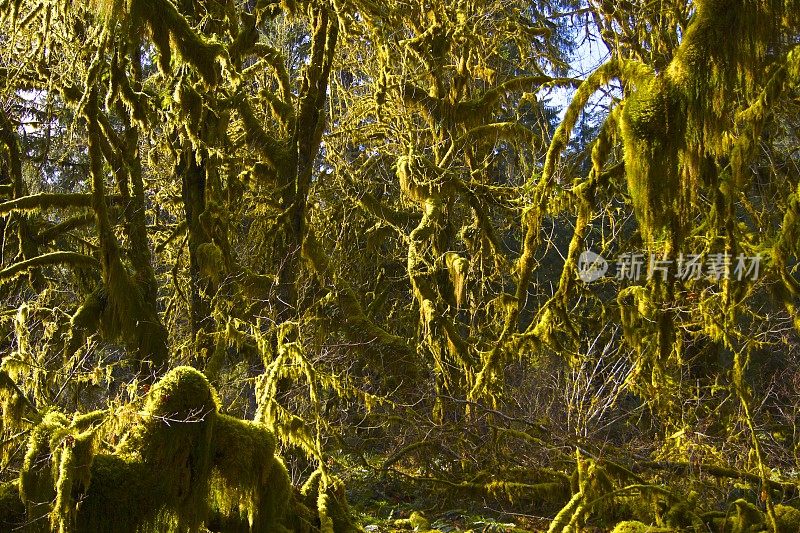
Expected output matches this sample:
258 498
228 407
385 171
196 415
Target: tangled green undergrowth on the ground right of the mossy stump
405 500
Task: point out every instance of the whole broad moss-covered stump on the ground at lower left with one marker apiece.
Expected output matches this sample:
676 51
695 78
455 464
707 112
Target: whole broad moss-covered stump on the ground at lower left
182 467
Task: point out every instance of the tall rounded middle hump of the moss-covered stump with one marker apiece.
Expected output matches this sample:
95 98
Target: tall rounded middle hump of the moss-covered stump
161 473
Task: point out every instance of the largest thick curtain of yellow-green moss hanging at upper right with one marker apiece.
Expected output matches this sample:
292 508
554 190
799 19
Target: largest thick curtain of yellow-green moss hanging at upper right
677 121
